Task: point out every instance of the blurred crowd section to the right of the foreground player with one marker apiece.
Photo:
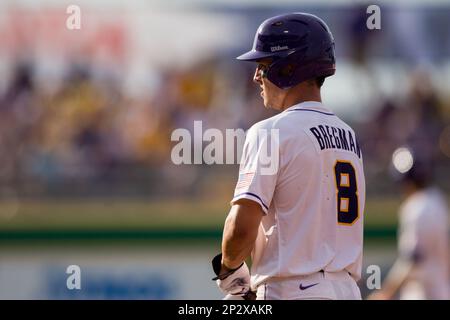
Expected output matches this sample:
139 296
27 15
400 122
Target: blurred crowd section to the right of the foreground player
420 120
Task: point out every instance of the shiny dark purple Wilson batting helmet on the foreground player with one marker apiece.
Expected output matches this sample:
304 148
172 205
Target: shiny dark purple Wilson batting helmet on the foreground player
301 46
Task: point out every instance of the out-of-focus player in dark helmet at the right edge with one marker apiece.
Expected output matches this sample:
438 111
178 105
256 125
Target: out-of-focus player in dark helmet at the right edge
422 269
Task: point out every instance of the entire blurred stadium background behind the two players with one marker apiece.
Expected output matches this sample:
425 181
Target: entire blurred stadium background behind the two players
86 117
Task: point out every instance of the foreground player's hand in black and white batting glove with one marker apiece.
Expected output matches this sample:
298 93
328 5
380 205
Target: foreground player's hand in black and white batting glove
234 282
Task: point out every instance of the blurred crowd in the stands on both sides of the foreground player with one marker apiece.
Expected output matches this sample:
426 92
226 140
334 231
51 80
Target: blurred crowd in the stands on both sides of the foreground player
88 135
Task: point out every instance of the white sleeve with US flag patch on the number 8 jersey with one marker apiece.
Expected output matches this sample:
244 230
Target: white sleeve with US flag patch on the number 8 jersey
259 167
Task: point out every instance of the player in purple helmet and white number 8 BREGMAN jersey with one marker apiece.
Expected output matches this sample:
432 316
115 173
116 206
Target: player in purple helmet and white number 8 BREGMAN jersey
299 215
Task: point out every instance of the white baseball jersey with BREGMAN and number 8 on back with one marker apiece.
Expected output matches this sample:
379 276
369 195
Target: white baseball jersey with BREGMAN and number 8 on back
313 198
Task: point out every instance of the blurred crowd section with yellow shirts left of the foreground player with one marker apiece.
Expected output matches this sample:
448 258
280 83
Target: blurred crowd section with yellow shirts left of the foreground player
88 135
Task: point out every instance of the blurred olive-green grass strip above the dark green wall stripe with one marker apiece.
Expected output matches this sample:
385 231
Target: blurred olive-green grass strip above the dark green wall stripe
141 214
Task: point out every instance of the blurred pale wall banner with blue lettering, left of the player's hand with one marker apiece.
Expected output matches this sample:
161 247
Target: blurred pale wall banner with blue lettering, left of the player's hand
119 273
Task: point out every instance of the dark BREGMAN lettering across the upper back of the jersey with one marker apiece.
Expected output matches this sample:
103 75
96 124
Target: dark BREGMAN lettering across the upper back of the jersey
329 137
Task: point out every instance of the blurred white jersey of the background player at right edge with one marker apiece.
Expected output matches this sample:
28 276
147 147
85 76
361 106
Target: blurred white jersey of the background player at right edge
423 238
